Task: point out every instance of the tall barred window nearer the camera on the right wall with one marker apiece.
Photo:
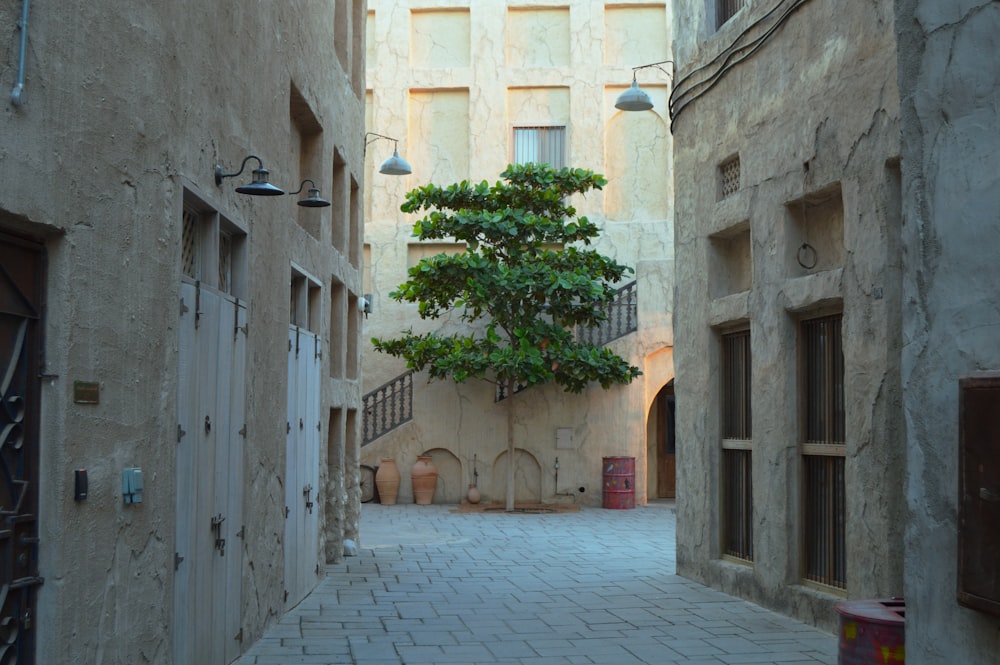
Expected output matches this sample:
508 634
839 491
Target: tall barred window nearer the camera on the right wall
824 485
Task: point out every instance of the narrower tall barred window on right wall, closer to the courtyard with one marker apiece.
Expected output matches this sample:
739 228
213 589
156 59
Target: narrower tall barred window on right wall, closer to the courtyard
737 465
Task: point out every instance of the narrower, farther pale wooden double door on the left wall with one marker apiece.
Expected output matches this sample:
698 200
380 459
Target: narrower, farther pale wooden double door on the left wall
302 465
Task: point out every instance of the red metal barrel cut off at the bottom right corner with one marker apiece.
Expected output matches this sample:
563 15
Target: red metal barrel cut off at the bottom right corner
872 631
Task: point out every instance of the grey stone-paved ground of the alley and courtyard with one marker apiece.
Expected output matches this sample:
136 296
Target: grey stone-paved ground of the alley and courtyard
593 587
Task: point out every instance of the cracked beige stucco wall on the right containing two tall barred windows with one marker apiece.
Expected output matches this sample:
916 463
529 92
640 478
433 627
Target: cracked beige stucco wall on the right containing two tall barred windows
813 113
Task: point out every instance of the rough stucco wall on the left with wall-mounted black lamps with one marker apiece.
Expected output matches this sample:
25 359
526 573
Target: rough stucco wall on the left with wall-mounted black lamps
125 108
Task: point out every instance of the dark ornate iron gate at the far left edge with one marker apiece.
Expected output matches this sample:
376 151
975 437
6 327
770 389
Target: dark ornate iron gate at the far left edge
21 288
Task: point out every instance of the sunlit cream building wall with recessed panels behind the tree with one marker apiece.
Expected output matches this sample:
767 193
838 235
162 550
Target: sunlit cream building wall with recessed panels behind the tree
449 81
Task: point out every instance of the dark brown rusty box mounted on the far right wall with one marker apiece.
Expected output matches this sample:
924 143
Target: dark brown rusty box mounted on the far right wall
979 493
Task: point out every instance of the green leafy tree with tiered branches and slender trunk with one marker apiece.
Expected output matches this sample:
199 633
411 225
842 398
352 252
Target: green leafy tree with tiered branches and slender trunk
526 279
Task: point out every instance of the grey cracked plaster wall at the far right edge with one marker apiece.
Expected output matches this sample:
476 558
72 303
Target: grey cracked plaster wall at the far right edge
951 197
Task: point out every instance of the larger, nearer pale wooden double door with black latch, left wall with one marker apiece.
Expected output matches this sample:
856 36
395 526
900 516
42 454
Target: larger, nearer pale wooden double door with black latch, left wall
209 483
